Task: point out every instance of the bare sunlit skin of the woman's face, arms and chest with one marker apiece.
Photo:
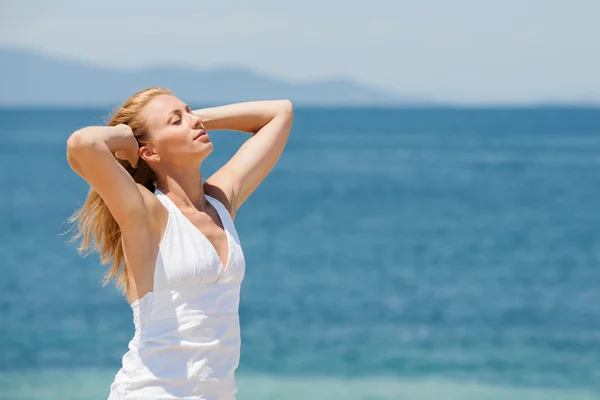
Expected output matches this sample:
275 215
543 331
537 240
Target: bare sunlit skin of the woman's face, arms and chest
178 143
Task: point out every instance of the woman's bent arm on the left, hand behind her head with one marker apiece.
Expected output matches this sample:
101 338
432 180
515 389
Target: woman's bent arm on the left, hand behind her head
89 153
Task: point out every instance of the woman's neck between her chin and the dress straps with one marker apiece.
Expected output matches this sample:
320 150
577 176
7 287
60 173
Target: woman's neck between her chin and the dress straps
183 186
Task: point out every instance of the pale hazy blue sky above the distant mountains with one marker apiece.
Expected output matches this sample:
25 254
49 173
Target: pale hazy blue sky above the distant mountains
463 51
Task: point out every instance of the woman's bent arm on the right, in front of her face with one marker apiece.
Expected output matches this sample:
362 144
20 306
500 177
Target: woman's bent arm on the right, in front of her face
270 123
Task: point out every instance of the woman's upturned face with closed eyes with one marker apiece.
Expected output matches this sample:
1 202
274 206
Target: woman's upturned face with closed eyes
177 136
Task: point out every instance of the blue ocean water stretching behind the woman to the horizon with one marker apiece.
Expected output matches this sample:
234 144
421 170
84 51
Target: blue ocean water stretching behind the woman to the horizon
391 254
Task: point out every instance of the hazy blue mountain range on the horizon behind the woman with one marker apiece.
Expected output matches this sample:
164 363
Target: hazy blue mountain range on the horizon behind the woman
34 79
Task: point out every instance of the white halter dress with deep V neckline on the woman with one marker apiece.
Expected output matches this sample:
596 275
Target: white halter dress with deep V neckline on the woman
187 335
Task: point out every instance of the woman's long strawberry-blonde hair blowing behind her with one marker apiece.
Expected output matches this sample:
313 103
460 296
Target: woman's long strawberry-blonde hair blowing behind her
96 227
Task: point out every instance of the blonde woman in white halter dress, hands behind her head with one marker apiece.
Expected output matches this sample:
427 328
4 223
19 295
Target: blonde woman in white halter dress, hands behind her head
170 236
